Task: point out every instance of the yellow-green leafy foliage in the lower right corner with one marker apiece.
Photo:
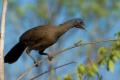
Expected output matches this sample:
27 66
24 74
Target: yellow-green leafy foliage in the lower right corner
92 68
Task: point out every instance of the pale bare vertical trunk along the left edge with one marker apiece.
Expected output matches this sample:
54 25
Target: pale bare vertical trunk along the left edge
4 11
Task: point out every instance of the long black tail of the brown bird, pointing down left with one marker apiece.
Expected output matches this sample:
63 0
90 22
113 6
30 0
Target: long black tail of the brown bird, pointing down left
14 53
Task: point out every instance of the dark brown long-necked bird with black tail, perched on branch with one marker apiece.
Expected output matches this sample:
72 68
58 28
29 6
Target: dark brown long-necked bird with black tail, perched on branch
40 38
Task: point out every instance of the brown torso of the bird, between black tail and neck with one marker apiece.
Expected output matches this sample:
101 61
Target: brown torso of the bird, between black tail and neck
42 34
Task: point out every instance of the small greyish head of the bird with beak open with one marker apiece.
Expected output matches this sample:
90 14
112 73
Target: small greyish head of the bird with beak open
79 23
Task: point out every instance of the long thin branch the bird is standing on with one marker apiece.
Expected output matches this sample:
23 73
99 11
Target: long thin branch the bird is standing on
59 52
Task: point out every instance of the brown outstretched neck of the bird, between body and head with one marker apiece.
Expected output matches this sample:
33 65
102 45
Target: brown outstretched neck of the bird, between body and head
64 28
